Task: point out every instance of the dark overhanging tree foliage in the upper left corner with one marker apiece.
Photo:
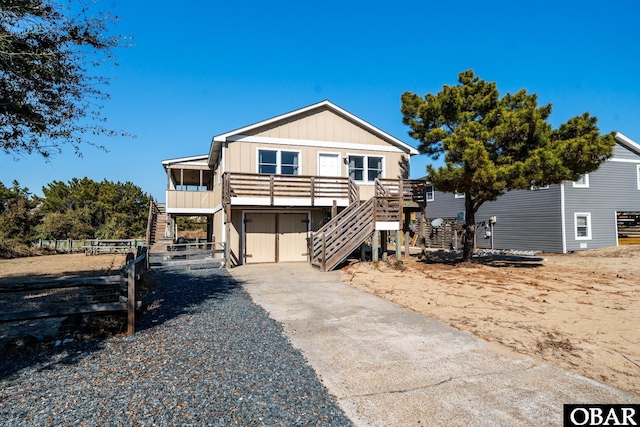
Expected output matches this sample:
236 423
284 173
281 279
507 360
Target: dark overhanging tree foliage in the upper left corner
49 96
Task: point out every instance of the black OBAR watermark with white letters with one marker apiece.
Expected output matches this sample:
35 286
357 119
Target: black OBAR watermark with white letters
601 415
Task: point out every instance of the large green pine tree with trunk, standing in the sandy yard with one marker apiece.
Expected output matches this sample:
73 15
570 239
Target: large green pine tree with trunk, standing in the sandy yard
492 145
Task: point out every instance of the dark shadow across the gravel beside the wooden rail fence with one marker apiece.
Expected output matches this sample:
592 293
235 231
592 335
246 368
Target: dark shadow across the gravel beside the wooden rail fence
165 293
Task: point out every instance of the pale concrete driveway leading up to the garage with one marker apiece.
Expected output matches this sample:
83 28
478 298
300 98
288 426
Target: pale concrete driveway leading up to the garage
388 366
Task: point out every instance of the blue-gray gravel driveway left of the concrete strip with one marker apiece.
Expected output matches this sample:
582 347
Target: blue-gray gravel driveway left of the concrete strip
204 354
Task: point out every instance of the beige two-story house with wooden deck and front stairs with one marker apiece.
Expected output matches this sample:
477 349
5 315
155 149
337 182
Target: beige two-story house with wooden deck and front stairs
266 187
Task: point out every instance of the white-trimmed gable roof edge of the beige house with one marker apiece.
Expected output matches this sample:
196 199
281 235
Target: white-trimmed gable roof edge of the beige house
217 141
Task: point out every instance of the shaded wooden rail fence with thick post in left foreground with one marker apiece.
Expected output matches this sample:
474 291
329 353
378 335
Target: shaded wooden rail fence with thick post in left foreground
105 291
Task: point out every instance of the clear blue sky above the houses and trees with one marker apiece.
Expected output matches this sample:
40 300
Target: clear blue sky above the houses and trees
198 69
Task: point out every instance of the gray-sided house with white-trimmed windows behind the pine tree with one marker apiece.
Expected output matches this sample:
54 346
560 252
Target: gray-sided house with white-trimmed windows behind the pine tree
561 218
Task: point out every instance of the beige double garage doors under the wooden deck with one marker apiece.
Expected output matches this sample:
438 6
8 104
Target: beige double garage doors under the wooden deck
275 237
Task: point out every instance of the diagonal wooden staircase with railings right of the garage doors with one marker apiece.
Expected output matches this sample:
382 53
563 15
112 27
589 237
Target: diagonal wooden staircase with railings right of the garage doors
338 238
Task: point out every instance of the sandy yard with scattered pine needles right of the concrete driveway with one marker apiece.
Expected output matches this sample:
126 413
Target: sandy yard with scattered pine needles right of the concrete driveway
579 311
